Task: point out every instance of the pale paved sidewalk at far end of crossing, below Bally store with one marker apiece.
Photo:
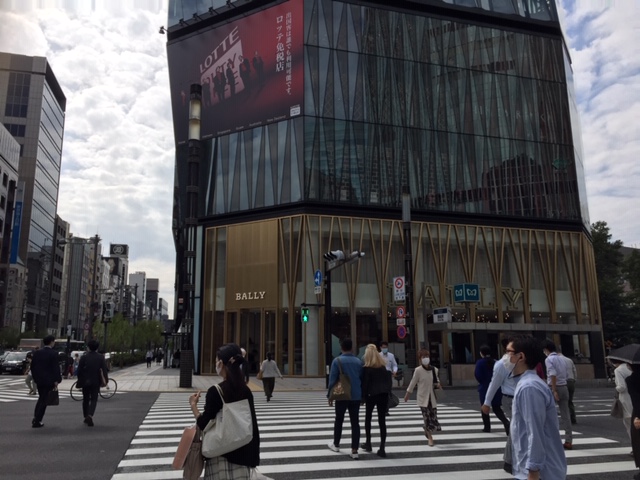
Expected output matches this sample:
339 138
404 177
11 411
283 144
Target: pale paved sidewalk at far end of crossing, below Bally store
139 378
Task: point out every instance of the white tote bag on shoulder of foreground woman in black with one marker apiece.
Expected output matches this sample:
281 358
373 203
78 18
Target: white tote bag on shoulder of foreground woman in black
231 429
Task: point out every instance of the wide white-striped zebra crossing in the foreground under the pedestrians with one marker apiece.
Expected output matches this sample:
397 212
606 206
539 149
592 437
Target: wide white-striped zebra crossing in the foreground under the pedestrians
295 428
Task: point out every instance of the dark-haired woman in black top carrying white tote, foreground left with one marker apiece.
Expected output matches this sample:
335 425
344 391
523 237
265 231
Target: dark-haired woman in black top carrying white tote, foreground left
238 464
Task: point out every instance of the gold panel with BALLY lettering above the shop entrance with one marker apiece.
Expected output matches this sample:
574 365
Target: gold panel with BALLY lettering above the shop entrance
252 265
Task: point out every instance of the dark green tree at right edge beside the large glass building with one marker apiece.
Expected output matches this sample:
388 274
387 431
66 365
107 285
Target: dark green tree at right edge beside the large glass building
618 322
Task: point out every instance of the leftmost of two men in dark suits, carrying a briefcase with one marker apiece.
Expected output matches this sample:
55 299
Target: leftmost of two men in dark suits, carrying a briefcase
46 374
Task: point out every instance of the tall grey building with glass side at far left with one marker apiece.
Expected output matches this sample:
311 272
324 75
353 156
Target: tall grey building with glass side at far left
32 108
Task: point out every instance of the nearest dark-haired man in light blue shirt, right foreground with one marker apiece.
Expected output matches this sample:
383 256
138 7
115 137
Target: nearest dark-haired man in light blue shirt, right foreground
535 434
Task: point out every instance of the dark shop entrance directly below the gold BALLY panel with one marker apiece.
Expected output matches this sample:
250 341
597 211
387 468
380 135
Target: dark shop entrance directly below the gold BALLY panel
253 330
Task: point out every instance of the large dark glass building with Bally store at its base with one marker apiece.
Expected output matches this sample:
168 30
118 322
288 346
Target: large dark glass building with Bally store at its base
317 115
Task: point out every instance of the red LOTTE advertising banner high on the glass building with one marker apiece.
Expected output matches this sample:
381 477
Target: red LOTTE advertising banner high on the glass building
251 72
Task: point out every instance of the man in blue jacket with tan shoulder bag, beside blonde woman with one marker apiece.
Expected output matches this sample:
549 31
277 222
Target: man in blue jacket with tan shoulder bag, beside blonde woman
351 367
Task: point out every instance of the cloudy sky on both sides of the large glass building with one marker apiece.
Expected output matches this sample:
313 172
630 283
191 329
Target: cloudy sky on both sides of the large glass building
118 153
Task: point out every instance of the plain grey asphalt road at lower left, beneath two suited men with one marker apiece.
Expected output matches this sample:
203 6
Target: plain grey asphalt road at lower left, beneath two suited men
65 447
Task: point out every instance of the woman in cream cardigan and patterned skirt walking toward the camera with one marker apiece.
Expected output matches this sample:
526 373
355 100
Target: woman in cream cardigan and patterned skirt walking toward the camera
425 377
